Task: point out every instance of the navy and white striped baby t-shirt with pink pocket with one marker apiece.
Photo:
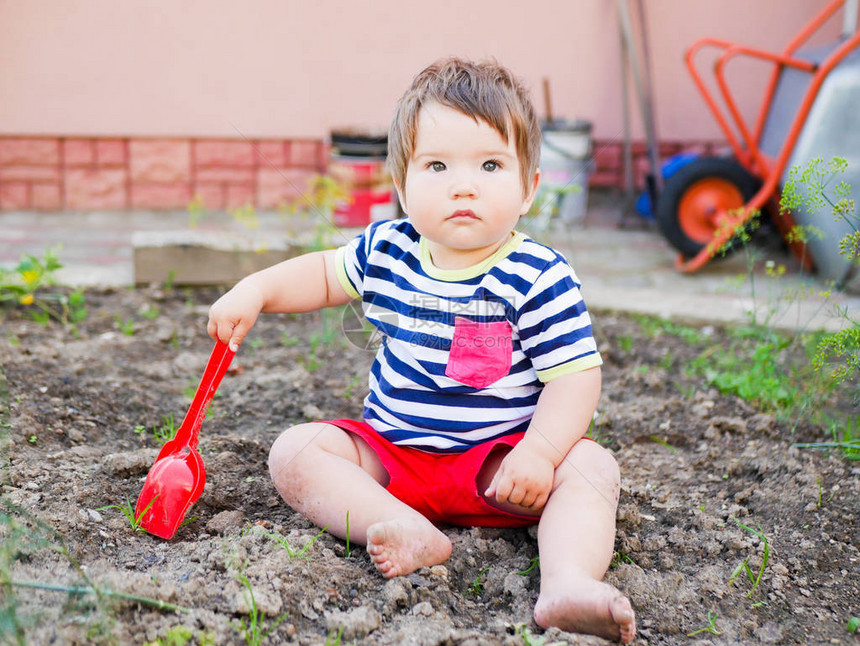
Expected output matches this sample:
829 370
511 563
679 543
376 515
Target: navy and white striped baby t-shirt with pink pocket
464 353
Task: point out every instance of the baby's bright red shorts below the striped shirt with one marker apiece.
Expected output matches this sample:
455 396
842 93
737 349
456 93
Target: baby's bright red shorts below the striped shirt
441 486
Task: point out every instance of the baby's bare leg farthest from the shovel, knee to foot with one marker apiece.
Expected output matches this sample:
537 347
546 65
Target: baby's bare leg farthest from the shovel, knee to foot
576 535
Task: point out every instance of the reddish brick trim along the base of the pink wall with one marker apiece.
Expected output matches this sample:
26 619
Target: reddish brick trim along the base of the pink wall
118 173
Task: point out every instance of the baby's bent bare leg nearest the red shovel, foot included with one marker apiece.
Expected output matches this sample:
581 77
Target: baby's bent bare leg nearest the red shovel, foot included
323 472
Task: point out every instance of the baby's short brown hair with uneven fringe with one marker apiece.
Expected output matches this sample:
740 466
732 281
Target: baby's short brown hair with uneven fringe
483 90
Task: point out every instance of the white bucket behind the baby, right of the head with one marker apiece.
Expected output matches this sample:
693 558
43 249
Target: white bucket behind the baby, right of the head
565 163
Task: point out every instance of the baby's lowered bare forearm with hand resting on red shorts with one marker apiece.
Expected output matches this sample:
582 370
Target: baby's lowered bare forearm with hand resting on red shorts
564 411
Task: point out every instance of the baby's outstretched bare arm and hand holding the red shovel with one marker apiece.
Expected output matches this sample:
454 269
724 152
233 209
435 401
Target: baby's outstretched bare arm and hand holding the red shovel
302 284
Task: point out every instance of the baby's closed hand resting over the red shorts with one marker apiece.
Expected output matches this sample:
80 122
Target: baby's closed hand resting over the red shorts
523 478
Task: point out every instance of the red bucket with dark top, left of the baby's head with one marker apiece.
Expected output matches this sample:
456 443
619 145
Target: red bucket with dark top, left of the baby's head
357 162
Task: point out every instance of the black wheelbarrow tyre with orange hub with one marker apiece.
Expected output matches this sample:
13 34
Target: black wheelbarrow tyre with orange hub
693 198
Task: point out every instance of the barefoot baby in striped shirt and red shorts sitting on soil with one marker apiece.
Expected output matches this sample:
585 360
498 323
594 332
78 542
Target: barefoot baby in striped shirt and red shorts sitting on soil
487 376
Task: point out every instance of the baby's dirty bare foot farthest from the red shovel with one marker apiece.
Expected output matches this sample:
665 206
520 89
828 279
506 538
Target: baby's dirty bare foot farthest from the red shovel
583 605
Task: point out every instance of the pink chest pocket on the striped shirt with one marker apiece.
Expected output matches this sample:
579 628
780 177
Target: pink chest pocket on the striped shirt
480 352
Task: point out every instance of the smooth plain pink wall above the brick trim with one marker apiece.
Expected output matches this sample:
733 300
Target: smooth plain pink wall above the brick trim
285 69
